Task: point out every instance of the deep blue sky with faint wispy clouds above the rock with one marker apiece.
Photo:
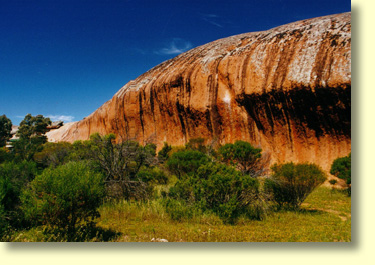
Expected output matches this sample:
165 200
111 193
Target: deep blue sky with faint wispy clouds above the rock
64 59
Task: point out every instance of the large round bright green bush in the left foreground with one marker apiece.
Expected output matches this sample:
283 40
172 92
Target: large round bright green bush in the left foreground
65 196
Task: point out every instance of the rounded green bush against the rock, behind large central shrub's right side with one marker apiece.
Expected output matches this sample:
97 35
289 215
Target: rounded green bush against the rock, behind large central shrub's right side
243 155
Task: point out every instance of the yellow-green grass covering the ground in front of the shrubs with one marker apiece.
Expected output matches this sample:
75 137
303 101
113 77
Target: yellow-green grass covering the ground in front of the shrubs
325 216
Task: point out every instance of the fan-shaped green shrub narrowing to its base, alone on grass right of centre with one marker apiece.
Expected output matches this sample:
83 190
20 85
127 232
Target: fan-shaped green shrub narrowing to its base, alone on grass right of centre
290 183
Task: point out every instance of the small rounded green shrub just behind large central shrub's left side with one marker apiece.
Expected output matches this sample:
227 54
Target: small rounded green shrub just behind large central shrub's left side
186 162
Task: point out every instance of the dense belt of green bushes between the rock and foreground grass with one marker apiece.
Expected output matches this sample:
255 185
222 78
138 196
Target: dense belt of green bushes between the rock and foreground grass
59 187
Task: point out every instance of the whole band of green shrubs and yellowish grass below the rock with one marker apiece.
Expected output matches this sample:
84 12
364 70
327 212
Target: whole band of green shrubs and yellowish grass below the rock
96 190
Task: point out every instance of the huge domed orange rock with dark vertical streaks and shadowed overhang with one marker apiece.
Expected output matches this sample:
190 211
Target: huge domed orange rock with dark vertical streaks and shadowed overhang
286 90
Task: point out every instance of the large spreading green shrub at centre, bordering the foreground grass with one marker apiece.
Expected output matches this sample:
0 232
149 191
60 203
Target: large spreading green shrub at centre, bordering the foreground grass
219 189
